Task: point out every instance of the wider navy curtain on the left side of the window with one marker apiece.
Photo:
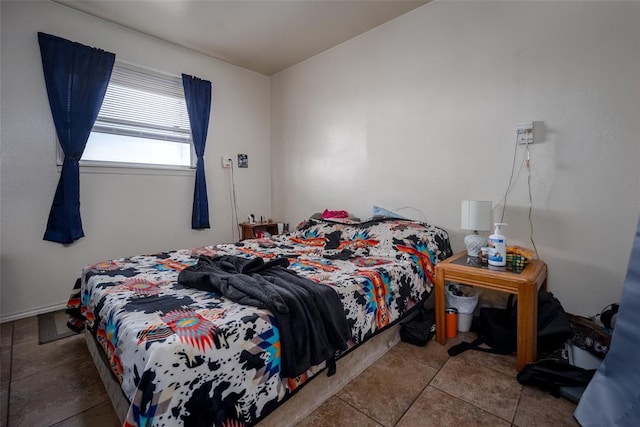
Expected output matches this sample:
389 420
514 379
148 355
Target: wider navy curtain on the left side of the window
76 77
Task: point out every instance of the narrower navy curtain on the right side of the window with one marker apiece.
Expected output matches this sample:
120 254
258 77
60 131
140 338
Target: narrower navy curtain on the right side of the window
197 93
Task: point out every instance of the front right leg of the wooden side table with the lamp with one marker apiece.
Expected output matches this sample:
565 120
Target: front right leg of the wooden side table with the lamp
527 325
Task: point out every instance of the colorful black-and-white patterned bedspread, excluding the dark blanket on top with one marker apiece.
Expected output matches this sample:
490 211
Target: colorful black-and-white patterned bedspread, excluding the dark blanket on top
190 357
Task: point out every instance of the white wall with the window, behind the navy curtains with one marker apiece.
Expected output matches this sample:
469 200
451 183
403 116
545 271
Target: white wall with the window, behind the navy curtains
123 213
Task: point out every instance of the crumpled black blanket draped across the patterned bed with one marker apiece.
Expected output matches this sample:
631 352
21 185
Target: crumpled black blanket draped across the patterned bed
310 316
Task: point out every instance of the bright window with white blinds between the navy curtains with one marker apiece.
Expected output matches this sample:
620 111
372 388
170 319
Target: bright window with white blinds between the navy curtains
143 120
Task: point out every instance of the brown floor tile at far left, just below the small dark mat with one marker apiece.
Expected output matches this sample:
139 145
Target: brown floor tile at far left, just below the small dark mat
29 357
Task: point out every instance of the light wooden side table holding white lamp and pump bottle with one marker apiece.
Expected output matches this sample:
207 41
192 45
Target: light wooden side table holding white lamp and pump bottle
524 285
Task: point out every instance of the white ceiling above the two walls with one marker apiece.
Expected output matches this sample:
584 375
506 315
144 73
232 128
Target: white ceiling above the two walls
264 36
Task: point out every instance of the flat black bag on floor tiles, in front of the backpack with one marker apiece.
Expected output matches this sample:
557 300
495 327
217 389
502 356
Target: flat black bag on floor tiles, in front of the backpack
551 375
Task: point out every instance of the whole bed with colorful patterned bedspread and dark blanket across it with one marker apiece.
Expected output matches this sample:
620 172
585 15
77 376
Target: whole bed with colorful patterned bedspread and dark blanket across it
183 353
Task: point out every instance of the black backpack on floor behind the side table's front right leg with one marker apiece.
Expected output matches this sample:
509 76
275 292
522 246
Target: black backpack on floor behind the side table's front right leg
498 327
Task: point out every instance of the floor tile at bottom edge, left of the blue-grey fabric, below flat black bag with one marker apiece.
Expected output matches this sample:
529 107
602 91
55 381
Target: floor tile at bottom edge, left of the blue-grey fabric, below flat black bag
538 408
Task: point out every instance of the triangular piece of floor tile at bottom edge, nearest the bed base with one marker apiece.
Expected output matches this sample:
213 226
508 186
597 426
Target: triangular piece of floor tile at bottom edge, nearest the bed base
336 413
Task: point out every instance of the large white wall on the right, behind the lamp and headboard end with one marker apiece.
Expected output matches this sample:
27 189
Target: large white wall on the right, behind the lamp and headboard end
421 112
